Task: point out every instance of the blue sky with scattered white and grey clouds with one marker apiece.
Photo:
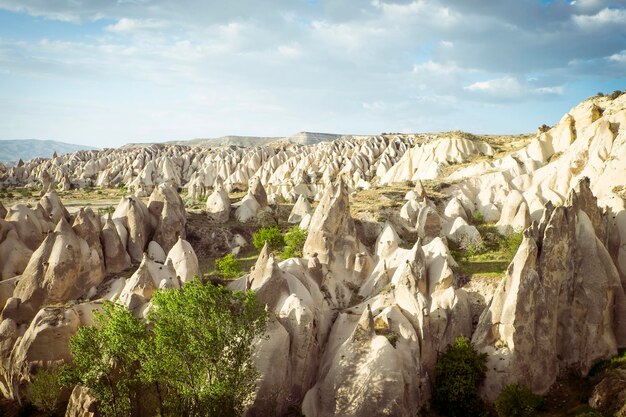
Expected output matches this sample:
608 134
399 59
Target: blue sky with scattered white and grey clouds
105 72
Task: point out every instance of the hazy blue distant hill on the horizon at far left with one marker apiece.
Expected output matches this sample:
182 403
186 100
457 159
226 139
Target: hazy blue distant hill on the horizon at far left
12 150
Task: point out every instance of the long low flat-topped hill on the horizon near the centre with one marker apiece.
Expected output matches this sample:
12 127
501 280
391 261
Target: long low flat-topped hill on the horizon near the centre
301 138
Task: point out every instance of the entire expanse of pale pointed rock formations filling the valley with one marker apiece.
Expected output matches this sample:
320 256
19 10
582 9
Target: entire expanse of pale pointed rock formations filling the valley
355 326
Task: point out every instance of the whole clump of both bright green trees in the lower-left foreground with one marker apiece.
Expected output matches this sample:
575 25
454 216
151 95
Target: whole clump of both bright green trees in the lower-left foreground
193 358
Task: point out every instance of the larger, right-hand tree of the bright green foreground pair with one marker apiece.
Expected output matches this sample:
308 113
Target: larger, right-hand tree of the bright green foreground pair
201 353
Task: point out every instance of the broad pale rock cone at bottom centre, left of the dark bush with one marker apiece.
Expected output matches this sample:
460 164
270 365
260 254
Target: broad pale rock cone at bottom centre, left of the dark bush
364 359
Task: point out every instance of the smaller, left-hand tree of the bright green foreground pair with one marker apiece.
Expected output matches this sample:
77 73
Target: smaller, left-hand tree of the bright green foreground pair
107 358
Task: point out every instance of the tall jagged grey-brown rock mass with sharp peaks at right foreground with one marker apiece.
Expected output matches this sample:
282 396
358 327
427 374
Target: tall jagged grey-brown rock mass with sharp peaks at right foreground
560 306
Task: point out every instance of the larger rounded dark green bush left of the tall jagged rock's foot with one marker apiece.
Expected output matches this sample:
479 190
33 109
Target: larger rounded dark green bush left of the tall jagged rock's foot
459 371
